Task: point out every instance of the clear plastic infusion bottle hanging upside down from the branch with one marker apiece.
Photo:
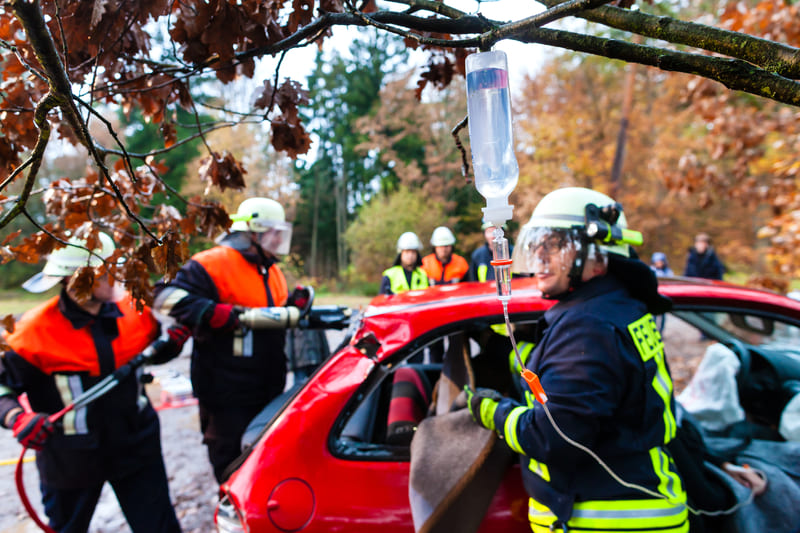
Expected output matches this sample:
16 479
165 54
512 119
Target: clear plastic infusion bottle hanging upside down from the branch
489 108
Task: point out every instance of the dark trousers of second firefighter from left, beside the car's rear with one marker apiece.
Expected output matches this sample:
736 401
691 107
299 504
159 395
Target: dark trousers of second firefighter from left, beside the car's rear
222 429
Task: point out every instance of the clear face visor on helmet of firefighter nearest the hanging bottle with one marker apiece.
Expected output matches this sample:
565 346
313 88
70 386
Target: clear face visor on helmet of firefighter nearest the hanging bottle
536 246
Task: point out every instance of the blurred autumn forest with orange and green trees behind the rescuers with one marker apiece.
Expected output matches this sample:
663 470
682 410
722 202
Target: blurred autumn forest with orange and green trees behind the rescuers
382 159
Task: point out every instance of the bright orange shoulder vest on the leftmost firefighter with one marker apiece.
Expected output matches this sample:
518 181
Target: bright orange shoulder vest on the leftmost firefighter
45 338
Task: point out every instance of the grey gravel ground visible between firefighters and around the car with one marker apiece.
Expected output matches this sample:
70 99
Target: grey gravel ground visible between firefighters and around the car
192 485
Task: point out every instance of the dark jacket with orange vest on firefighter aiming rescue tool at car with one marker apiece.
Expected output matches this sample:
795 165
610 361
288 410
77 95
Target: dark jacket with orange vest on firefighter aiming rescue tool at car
229 368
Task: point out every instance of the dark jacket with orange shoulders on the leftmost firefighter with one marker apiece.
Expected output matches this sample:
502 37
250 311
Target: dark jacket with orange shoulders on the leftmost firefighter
58 351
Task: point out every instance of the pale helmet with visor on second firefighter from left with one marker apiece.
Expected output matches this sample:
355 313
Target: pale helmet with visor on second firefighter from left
263 215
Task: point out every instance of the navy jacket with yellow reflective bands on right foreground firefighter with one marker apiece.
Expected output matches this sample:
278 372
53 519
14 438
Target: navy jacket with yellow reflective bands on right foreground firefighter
601 363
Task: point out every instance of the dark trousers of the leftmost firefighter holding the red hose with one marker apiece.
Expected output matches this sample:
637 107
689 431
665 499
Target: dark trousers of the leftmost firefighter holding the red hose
142 495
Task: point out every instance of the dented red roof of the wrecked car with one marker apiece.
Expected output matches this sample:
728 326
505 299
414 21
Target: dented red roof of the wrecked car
397 319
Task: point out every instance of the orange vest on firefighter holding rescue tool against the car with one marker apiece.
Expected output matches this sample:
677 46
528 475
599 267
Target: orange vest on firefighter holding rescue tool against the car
239 281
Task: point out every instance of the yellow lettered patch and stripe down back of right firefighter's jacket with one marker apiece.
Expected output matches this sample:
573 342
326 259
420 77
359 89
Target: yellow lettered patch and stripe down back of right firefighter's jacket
649 344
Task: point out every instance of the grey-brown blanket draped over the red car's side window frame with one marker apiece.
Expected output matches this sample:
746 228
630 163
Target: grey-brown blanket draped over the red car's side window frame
456 465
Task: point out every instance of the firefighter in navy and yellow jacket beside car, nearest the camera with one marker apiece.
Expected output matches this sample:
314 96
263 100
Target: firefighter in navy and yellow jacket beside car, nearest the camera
601 363
